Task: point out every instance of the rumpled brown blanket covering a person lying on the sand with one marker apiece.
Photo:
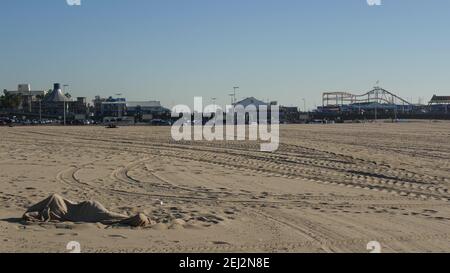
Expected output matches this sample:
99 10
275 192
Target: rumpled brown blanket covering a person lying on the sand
57 209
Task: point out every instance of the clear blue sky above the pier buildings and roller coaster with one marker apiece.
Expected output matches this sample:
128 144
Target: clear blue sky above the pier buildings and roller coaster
173 50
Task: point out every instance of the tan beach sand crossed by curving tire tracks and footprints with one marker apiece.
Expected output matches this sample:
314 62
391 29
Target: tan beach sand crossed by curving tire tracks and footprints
329 188
